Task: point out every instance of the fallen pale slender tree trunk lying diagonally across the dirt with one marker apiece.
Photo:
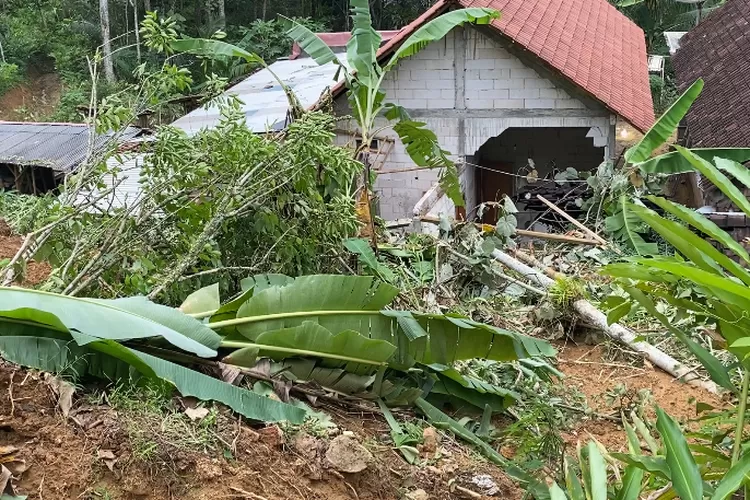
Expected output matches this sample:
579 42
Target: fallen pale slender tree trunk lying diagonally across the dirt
598 320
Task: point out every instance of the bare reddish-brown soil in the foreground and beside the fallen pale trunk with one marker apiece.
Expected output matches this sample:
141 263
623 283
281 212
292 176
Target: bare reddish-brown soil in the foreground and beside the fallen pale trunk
94 453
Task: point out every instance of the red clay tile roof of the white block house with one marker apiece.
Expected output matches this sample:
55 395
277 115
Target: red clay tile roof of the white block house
604 53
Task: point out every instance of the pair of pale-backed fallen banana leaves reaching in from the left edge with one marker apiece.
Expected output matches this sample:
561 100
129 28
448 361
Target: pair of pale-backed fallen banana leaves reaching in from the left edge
121 339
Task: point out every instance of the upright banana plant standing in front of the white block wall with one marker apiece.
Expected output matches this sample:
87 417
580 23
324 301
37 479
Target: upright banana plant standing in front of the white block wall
364 76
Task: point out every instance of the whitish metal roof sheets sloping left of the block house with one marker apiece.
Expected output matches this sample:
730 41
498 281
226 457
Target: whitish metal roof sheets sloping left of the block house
265 103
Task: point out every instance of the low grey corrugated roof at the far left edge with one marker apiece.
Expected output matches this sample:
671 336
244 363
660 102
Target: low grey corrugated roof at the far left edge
59 146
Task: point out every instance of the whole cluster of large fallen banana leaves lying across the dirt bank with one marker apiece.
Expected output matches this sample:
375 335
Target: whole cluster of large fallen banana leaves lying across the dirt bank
334 330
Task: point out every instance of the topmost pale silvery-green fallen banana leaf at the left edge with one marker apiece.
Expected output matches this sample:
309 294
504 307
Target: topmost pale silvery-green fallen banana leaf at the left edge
124 319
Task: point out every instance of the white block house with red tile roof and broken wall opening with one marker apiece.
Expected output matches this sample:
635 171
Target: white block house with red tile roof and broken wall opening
538 91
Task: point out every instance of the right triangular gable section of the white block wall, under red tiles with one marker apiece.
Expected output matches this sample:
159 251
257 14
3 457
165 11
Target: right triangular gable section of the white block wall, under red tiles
497 79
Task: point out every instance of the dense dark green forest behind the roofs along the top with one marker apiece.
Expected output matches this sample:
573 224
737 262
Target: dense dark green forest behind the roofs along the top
46 45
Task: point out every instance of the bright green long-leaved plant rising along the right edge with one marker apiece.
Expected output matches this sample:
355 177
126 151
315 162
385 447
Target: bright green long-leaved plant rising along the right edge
699 279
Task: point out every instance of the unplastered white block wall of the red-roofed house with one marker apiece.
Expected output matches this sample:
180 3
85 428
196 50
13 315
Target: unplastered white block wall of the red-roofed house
493 79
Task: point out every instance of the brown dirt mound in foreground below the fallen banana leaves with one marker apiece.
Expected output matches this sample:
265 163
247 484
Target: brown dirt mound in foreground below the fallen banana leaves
91 456
